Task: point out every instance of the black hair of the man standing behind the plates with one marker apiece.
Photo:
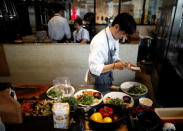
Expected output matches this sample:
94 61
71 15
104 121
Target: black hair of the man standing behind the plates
126 23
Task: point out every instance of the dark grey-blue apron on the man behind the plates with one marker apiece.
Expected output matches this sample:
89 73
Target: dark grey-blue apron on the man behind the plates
107 77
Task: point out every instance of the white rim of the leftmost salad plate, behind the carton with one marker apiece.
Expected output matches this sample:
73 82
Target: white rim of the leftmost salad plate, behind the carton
63 94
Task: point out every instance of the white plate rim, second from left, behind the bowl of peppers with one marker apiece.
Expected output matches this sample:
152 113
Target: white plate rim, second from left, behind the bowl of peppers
77 94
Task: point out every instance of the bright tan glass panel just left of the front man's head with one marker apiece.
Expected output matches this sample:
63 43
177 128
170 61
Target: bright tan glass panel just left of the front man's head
106 10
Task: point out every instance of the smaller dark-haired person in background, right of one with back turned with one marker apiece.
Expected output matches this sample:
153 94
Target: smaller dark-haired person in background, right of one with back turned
80 35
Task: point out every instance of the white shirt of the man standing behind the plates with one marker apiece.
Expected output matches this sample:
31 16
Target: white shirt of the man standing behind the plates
99 51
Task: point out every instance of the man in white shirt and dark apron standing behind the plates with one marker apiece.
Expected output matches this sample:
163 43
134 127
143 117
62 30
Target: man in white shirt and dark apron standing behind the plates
104 51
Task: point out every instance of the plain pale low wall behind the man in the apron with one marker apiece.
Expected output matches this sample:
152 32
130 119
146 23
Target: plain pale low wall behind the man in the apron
41 63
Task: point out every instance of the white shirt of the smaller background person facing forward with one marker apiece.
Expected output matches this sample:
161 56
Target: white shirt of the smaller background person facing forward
81 34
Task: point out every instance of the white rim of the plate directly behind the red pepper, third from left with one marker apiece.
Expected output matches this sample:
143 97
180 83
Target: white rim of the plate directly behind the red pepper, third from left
119 95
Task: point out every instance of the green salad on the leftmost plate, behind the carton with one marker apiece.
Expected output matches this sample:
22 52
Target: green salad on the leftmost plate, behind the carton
54 93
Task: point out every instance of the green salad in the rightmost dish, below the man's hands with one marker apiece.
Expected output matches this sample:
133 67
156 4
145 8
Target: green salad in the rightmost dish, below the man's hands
137 89
